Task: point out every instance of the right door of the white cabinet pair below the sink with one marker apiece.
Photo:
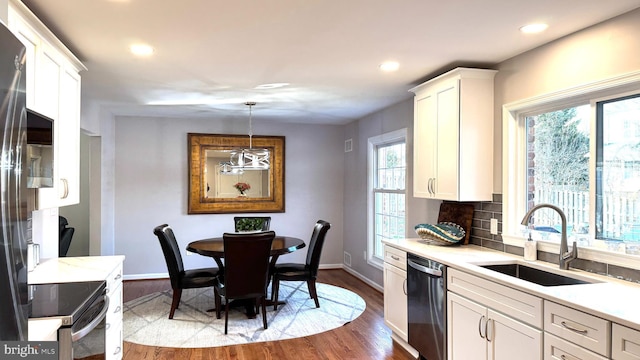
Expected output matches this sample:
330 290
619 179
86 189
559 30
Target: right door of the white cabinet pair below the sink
510 339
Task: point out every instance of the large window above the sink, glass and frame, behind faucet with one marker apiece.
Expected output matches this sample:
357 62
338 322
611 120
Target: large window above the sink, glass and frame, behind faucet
578 150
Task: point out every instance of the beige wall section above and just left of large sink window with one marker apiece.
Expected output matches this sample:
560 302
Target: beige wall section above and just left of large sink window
602 51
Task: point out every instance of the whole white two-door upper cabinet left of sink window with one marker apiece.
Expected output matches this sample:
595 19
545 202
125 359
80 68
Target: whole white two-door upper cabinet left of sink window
453 136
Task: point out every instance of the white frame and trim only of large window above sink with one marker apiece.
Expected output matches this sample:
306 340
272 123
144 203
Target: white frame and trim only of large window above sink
514 149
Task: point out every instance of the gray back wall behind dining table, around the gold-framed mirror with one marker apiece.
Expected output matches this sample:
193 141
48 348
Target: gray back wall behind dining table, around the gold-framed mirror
151 188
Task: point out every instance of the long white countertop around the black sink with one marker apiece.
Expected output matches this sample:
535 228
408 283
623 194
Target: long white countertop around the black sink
611 299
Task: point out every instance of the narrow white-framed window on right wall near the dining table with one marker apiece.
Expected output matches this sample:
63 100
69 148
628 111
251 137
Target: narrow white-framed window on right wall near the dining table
387 192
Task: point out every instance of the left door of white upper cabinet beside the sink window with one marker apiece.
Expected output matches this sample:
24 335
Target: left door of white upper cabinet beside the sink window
424 145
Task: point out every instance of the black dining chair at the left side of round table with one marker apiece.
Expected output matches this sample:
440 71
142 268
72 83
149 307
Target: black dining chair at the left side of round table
181 278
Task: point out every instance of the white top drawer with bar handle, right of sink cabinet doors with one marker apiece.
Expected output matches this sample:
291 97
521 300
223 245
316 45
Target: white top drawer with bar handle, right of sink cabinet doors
580 328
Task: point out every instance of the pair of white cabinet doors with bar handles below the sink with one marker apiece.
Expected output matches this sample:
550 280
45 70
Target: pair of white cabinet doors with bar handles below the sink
478 332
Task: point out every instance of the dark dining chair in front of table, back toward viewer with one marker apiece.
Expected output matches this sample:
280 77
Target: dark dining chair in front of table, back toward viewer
246 271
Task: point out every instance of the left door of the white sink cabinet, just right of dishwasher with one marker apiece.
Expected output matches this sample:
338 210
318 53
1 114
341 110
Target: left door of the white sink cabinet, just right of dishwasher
465 320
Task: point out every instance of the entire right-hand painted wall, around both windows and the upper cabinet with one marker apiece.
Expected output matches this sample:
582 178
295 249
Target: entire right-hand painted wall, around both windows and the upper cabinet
601 51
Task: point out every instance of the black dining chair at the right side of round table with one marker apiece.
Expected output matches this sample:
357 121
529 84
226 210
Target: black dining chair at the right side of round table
303 272
